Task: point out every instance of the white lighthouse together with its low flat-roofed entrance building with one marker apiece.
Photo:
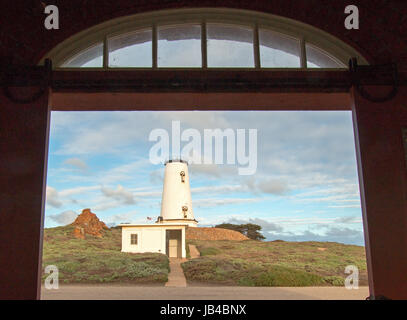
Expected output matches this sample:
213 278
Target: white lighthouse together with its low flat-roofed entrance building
167 235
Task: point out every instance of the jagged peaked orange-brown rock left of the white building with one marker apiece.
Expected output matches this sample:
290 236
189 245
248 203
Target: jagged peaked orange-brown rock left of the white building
88 223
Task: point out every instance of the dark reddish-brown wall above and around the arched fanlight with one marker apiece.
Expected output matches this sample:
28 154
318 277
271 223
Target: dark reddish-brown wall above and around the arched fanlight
382 36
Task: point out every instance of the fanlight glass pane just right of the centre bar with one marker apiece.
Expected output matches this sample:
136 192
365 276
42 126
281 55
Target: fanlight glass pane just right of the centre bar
229 46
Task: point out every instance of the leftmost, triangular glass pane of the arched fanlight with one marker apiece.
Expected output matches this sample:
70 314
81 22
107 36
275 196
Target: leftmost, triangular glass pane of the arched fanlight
89 58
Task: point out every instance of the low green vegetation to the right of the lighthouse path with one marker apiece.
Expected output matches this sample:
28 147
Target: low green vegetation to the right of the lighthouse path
275 263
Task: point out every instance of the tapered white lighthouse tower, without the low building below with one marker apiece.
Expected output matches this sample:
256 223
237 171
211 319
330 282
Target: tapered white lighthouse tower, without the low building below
176 205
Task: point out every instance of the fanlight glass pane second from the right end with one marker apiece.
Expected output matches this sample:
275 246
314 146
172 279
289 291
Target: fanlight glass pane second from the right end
278 50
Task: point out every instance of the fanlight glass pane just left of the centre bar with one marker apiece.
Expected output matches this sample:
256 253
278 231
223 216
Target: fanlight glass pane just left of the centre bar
179 46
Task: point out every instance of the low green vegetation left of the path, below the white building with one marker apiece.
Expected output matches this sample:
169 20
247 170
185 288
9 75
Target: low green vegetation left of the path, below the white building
100 260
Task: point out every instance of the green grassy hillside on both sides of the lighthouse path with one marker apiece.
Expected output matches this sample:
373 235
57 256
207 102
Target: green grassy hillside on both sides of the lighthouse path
222 262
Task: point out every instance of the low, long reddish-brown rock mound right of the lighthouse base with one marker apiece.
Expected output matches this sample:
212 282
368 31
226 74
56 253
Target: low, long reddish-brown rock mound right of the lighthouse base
197 233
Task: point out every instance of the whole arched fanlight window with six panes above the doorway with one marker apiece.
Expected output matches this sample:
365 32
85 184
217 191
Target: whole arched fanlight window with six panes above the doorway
198 42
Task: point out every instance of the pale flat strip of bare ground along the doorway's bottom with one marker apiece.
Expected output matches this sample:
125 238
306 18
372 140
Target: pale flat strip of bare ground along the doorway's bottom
99 292
